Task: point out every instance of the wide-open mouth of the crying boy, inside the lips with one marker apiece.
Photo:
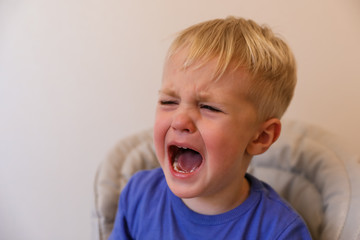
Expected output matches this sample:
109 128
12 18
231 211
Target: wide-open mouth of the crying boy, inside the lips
184 160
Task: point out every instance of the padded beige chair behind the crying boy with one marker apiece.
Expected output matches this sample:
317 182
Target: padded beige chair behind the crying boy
307 166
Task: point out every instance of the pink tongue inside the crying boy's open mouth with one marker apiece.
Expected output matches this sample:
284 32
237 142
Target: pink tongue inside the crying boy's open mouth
188 161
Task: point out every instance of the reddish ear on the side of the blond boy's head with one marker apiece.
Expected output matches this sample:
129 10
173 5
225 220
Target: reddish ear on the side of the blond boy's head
267 134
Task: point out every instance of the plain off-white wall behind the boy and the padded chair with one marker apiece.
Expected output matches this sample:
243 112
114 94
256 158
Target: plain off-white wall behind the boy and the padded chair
77 75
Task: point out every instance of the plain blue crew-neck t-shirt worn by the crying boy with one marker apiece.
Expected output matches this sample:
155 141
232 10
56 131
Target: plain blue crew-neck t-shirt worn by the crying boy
149 210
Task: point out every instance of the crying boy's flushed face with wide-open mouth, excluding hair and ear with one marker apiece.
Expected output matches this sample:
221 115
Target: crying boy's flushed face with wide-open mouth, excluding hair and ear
212 118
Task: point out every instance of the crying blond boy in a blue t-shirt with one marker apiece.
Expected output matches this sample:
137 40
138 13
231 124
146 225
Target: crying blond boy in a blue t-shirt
226 83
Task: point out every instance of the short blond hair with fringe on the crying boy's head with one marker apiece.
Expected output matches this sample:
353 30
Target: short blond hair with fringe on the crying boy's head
244 44
